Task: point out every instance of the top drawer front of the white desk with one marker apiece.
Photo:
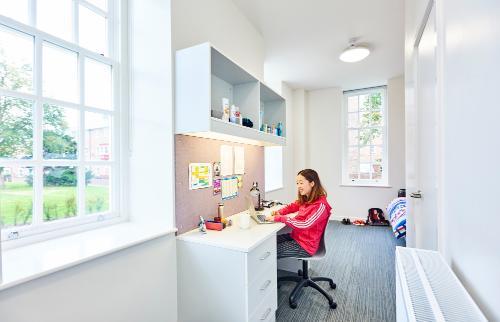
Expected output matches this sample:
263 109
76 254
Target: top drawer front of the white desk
261 258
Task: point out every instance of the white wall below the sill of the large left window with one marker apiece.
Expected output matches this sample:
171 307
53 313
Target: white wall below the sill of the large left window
136 284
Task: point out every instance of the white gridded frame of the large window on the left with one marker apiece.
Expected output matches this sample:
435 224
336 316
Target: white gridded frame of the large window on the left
39 229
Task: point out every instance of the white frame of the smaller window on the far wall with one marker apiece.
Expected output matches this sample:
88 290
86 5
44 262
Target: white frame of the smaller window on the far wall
345 180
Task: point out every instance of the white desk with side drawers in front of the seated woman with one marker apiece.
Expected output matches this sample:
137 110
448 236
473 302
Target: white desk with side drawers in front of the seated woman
228 275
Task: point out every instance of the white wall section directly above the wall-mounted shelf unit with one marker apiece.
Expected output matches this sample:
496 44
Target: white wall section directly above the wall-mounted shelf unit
222 24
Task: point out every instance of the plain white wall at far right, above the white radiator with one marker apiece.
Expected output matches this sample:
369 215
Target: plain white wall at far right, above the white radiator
471 148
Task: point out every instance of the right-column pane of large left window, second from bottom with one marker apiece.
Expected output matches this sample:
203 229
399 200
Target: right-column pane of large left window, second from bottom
97 136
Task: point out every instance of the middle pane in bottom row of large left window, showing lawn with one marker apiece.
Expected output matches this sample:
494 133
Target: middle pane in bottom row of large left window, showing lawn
59 192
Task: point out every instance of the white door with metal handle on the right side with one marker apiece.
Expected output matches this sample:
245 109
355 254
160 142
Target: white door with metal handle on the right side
422 140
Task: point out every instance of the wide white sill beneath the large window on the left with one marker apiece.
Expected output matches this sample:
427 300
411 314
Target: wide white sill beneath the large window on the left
30 262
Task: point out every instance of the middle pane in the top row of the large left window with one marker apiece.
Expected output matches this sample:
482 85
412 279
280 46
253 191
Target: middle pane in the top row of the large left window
55 17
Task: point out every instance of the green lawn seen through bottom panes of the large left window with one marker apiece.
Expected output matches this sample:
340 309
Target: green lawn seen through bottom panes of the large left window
16 201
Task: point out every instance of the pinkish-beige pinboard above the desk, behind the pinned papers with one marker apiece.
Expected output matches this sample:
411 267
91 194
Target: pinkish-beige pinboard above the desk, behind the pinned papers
190 204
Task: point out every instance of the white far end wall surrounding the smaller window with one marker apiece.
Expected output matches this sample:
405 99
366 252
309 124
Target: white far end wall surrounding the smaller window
324 150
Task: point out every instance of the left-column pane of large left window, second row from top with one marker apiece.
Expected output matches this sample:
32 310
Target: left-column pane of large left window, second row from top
16 60
